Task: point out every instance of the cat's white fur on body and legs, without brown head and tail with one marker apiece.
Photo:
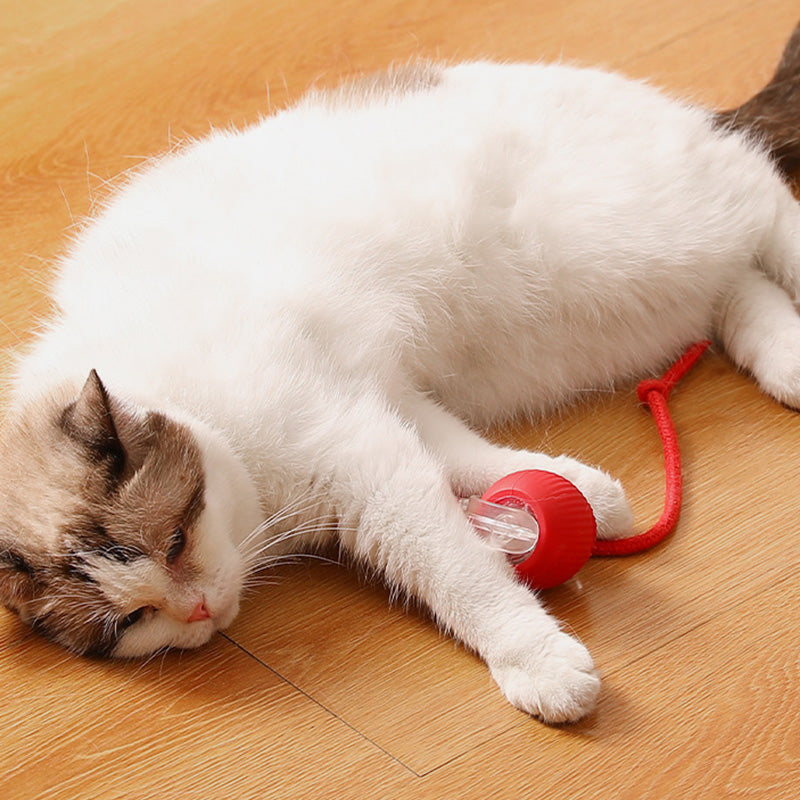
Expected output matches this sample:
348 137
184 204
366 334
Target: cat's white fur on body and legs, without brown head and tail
341 289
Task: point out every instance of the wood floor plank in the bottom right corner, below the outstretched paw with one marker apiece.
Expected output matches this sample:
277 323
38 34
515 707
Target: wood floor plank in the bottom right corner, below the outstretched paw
664 730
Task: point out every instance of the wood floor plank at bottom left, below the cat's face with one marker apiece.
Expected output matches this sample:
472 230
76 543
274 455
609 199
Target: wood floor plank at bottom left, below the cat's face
210 723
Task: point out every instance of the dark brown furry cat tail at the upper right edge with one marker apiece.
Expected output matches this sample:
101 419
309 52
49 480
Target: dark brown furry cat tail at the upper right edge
773 115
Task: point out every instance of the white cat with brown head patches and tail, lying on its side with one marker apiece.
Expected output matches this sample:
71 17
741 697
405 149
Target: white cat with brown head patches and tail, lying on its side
276 339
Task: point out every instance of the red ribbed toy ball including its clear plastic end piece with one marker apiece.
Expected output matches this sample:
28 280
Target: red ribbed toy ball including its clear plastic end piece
541 521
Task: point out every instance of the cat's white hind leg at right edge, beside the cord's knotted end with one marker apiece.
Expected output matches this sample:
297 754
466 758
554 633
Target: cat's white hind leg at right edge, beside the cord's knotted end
760 328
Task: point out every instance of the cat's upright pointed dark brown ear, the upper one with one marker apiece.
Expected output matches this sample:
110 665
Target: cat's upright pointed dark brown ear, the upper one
90 421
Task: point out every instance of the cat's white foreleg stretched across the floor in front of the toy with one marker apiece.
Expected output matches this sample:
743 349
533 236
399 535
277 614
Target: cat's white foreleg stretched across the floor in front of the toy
397 513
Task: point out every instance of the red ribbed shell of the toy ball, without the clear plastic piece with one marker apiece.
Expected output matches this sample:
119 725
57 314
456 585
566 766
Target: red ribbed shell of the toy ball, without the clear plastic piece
567 527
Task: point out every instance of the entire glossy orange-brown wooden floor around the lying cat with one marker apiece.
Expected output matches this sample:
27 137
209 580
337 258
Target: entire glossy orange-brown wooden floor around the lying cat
320 690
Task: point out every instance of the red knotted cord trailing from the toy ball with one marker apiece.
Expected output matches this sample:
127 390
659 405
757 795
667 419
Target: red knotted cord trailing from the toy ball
654 393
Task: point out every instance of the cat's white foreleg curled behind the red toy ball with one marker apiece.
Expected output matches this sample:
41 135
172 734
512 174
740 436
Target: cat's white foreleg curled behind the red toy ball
473 464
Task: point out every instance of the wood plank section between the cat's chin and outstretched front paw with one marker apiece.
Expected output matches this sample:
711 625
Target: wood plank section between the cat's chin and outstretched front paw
385 671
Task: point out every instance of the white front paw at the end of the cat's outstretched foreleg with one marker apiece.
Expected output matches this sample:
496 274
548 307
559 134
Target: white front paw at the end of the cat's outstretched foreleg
556 681
